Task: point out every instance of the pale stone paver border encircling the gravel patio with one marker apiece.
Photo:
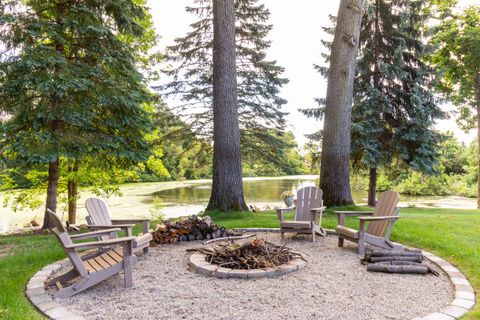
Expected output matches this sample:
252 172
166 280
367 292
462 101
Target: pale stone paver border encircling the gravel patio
463 301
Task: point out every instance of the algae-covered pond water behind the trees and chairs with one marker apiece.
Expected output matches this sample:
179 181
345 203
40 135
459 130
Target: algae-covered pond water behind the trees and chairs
180 198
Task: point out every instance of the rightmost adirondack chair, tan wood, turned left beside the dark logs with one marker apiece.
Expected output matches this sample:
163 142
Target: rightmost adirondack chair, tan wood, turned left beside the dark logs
380 224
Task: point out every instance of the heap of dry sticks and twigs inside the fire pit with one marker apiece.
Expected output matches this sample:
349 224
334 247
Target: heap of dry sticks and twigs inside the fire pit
255 254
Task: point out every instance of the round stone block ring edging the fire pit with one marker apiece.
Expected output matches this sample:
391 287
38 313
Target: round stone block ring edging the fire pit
198 264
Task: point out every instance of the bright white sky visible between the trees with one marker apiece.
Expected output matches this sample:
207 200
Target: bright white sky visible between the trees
295 37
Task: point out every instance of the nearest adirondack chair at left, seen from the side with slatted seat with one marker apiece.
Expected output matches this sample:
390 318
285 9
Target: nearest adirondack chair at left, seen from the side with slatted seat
91 270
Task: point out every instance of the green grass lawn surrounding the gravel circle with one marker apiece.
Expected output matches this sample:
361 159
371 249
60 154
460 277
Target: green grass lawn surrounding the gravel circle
451 234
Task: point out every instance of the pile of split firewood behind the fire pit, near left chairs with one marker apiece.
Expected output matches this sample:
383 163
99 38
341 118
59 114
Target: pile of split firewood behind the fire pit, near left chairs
191 229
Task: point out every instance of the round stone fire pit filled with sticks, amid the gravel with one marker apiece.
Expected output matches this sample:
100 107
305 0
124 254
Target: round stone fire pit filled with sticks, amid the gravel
251 260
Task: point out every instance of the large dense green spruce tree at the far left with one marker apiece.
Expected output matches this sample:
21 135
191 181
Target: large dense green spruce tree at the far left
69 85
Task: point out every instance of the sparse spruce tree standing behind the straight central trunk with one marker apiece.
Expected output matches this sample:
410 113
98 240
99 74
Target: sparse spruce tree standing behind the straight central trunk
258 79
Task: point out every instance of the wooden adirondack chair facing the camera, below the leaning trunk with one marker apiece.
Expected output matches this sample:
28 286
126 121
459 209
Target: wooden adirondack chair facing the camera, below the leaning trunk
308 213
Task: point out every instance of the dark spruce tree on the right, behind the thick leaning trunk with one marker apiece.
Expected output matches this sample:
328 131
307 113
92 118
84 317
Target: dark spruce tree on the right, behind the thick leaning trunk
394 108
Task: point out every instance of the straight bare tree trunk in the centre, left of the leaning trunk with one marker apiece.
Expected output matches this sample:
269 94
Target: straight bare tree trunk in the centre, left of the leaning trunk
227 189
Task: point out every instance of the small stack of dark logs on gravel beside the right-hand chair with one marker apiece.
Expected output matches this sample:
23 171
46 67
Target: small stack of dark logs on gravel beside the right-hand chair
397 261
